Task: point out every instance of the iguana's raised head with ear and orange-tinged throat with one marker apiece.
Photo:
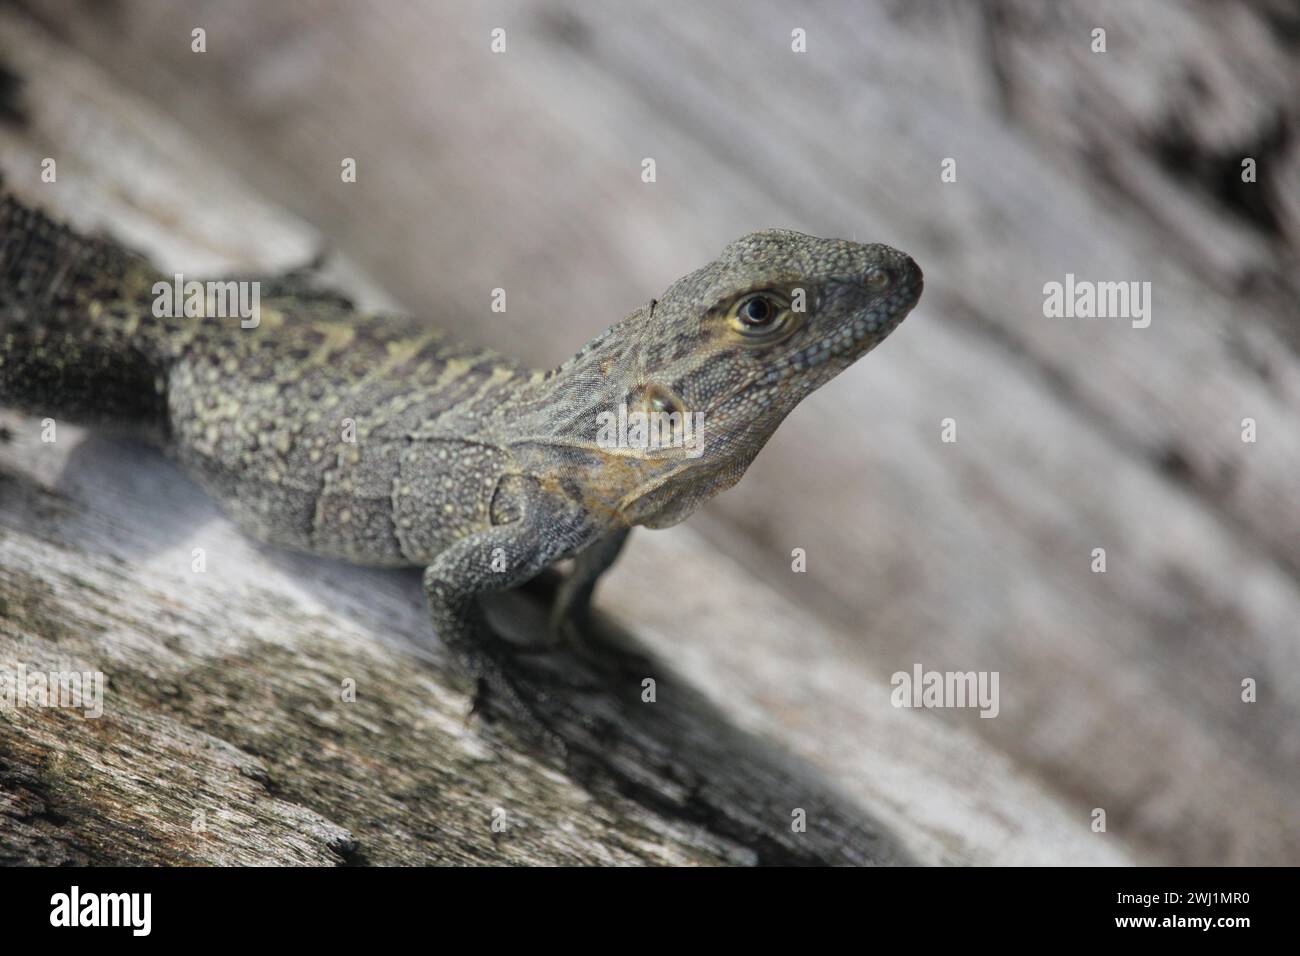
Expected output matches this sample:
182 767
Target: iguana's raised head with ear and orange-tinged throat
714 366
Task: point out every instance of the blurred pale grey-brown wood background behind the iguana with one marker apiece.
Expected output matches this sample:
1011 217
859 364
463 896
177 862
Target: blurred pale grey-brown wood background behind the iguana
522 170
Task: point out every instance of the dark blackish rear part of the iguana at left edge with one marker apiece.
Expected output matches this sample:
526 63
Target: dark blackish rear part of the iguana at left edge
77 336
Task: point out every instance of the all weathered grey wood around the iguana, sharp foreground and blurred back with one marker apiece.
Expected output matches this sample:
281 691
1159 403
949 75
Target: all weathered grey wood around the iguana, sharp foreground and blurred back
522 171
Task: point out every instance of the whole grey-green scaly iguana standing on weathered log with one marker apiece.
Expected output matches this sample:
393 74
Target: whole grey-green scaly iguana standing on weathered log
458 460
